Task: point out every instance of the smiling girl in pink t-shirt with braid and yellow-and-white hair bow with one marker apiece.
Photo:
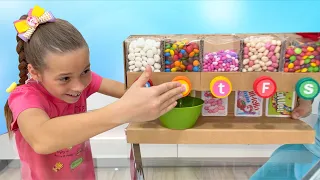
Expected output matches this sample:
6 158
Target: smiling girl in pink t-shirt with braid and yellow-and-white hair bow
47 112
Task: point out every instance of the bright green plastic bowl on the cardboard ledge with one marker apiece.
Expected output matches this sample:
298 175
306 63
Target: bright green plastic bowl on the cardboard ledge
184 115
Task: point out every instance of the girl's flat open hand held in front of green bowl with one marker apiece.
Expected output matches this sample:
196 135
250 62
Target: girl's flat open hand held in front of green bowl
145 104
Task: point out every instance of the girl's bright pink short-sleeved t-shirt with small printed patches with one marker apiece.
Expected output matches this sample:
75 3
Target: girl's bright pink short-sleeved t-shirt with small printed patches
74 163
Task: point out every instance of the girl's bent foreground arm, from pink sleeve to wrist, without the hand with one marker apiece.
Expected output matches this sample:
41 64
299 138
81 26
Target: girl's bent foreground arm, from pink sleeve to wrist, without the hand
47 135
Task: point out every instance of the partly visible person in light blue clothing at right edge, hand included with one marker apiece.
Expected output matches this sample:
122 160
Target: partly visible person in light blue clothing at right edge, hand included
293 161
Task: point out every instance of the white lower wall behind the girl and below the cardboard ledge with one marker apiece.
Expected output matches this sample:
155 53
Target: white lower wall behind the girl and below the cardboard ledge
112 144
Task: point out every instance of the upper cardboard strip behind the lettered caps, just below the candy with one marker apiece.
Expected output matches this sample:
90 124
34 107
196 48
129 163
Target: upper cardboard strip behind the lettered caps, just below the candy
240 81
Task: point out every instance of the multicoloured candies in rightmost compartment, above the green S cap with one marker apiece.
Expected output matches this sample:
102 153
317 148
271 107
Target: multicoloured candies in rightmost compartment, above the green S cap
302 58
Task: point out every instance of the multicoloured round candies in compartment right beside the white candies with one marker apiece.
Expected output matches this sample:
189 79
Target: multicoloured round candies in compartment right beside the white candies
181 56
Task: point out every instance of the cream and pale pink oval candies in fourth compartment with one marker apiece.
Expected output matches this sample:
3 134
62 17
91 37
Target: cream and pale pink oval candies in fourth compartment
261 54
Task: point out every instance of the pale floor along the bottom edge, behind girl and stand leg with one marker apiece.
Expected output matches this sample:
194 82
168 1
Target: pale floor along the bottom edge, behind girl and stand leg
184 173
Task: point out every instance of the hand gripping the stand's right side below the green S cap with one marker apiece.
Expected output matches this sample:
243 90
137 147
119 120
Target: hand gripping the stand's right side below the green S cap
303 109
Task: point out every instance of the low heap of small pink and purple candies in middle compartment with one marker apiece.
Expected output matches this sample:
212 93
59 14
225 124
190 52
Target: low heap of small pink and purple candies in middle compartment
221 61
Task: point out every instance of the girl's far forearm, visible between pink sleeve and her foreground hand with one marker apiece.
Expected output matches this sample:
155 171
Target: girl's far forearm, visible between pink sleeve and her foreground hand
112 88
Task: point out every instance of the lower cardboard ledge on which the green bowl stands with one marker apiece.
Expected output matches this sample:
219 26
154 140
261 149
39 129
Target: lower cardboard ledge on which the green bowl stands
225 130
